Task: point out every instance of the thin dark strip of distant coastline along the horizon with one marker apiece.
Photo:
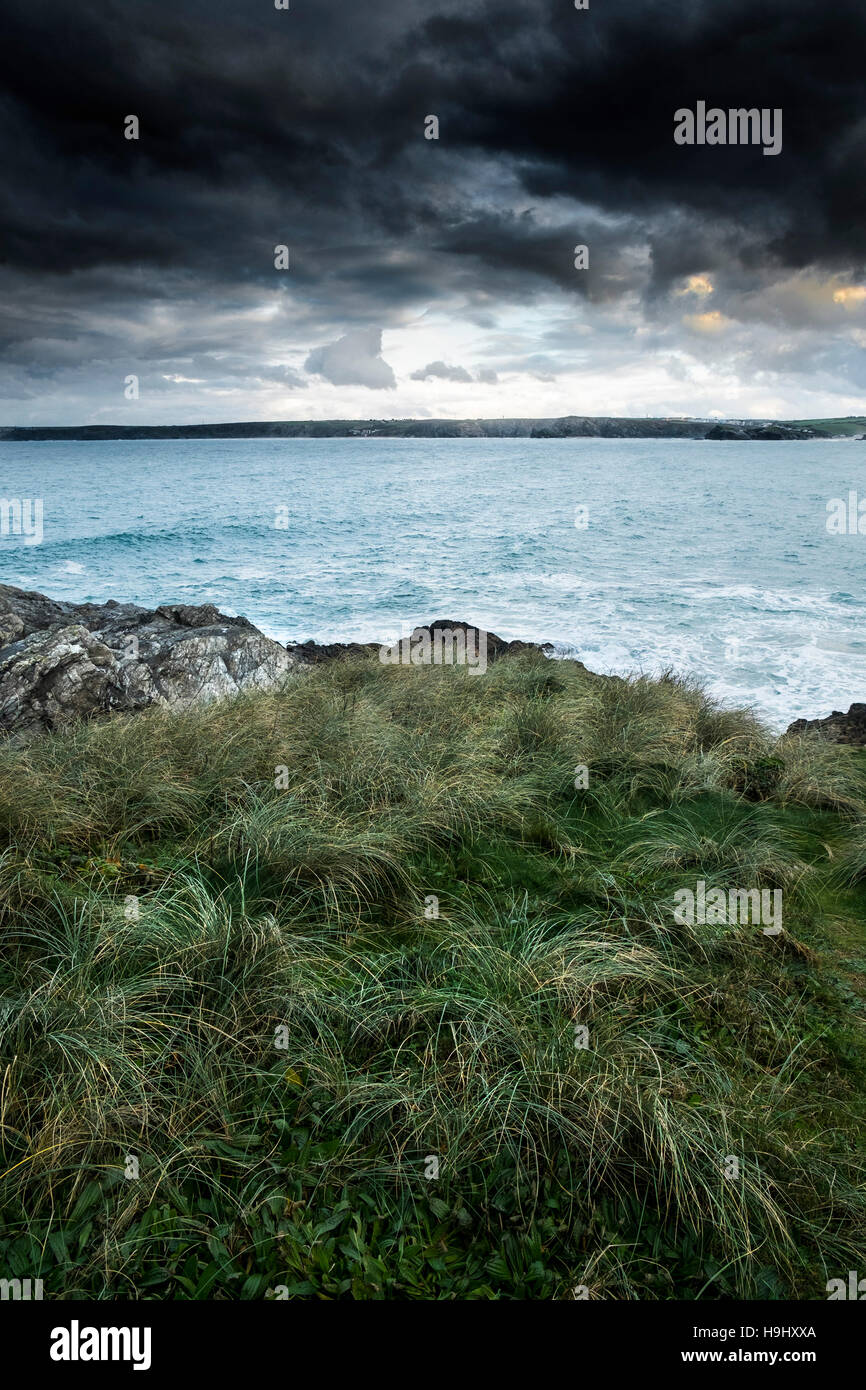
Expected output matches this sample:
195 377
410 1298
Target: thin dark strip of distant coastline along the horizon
565 427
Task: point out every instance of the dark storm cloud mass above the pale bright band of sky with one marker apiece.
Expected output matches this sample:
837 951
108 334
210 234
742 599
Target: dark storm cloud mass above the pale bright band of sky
307 129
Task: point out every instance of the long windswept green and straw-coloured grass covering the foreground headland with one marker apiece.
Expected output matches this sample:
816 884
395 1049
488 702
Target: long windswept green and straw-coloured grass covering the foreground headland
412 1036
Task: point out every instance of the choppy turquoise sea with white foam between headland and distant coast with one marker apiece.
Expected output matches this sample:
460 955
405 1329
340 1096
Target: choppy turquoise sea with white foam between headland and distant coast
710 558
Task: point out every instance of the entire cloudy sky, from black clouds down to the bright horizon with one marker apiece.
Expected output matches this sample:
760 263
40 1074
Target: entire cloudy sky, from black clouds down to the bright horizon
429 277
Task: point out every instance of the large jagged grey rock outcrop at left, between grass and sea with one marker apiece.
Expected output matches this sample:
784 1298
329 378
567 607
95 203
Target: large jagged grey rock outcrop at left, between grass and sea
60 662
